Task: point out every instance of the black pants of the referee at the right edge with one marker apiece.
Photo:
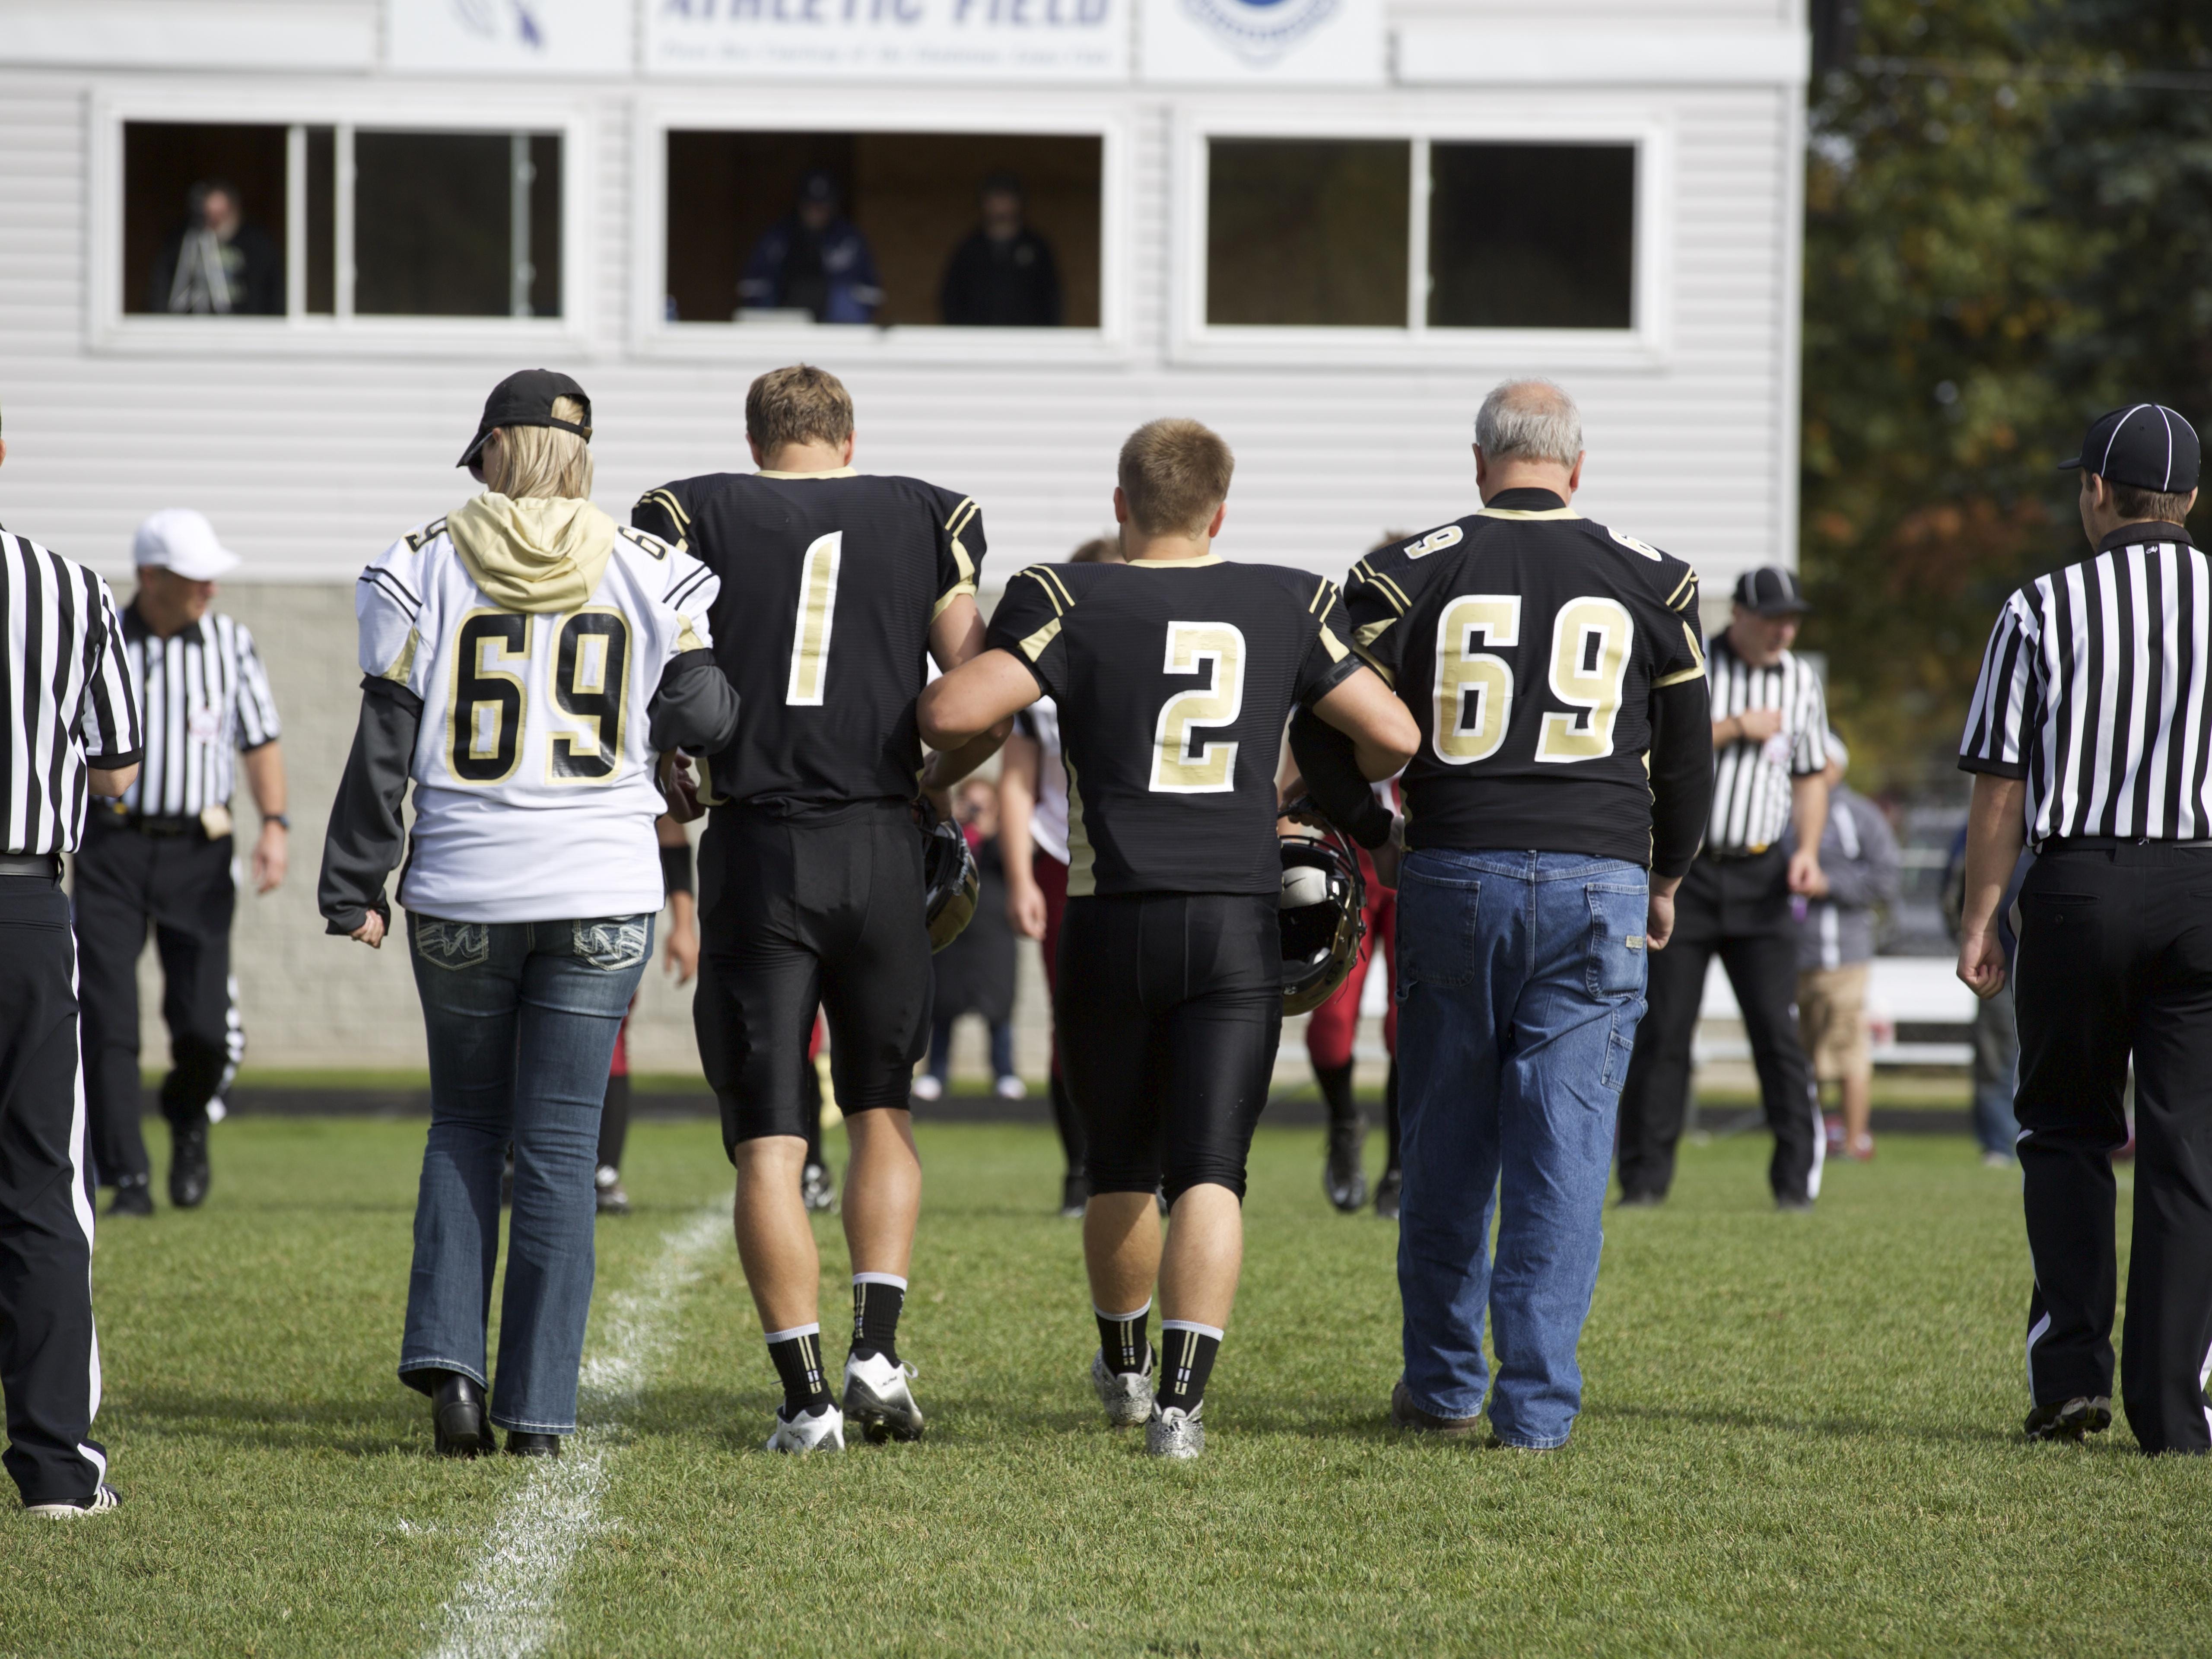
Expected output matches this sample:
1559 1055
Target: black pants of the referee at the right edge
2116 959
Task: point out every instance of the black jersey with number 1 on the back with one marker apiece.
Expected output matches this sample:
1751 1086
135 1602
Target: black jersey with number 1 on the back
828 589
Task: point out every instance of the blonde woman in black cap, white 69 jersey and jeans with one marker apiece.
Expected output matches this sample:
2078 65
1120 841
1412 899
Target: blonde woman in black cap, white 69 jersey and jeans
556 654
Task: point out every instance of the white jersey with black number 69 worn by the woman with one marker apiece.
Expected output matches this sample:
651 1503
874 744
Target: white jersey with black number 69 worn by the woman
534 780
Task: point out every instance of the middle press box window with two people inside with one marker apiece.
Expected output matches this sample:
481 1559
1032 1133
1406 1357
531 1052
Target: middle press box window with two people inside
910 229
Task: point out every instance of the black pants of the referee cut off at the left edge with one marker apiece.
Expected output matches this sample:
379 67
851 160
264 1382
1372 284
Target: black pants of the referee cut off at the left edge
50 1364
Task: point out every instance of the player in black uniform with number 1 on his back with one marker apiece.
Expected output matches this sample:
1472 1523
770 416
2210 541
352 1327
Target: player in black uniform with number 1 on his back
811 870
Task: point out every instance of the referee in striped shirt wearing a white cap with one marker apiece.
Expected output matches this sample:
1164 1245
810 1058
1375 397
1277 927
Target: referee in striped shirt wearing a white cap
160 859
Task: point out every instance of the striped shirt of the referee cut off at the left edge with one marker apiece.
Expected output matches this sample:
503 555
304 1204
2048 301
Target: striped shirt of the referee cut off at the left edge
67 702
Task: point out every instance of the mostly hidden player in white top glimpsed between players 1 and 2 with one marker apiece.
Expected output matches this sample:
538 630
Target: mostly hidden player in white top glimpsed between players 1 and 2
1034 833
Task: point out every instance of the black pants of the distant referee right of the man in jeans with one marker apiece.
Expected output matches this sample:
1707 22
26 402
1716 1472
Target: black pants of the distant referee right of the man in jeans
1738 908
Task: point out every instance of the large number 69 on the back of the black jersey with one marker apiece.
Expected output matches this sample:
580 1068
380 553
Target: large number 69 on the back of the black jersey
1474 689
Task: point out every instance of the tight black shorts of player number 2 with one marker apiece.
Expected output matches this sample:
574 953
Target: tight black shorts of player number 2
1169 1012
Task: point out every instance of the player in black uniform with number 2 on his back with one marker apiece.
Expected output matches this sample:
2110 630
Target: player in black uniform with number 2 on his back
1173 676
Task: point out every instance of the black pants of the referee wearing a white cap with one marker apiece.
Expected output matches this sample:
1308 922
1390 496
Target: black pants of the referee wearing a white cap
180 886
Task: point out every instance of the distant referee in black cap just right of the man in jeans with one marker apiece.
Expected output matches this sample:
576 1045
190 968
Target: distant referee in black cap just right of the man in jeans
1771 775
